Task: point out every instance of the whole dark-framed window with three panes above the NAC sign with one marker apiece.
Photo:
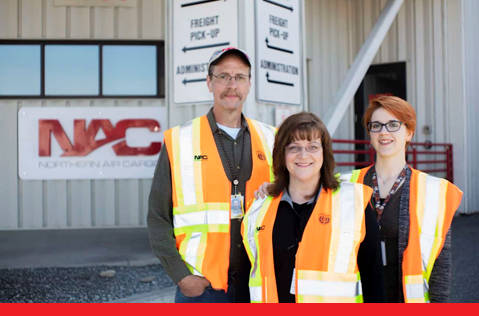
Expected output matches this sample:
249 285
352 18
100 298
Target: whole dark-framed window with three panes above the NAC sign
82 69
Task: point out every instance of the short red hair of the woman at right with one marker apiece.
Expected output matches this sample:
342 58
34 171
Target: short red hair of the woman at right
398 107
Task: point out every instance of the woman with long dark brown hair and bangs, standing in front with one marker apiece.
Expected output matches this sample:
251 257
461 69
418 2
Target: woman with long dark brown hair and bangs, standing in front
310 240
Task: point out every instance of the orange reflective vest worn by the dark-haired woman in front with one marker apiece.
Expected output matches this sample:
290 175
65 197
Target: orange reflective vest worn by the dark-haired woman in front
326 267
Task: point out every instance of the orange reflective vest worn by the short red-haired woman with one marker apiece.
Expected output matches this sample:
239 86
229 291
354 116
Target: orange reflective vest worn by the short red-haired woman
432 204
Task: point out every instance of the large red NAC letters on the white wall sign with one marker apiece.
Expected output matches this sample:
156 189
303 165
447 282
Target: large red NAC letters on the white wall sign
84 137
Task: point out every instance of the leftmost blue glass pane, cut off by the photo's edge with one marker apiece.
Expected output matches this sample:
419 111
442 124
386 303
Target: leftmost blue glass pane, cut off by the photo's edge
20 70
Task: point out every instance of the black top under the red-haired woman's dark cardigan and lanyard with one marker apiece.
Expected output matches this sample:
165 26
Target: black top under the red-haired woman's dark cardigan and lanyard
389 235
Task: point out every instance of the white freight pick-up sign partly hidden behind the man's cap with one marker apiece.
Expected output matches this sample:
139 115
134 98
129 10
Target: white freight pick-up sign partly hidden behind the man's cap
199 28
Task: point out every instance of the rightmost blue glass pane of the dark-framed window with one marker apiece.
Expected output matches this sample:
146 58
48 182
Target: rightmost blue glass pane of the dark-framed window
129 70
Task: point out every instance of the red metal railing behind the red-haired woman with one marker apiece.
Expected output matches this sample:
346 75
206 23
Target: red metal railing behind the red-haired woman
415 155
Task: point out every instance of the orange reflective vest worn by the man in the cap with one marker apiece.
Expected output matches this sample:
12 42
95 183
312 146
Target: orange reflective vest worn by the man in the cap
202 194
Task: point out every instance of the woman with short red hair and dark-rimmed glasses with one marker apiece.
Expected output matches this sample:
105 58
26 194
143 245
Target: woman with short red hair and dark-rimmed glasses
414 210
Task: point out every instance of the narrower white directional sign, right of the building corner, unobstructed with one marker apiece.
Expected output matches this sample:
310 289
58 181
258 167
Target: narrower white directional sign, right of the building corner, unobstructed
278 42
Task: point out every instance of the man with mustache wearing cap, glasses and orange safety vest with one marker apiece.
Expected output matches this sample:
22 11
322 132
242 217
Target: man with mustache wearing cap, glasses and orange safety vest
204 165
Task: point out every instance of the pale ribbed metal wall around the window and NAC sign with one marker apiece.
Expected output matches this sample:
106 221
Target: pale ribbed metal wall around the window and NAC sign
64 204
